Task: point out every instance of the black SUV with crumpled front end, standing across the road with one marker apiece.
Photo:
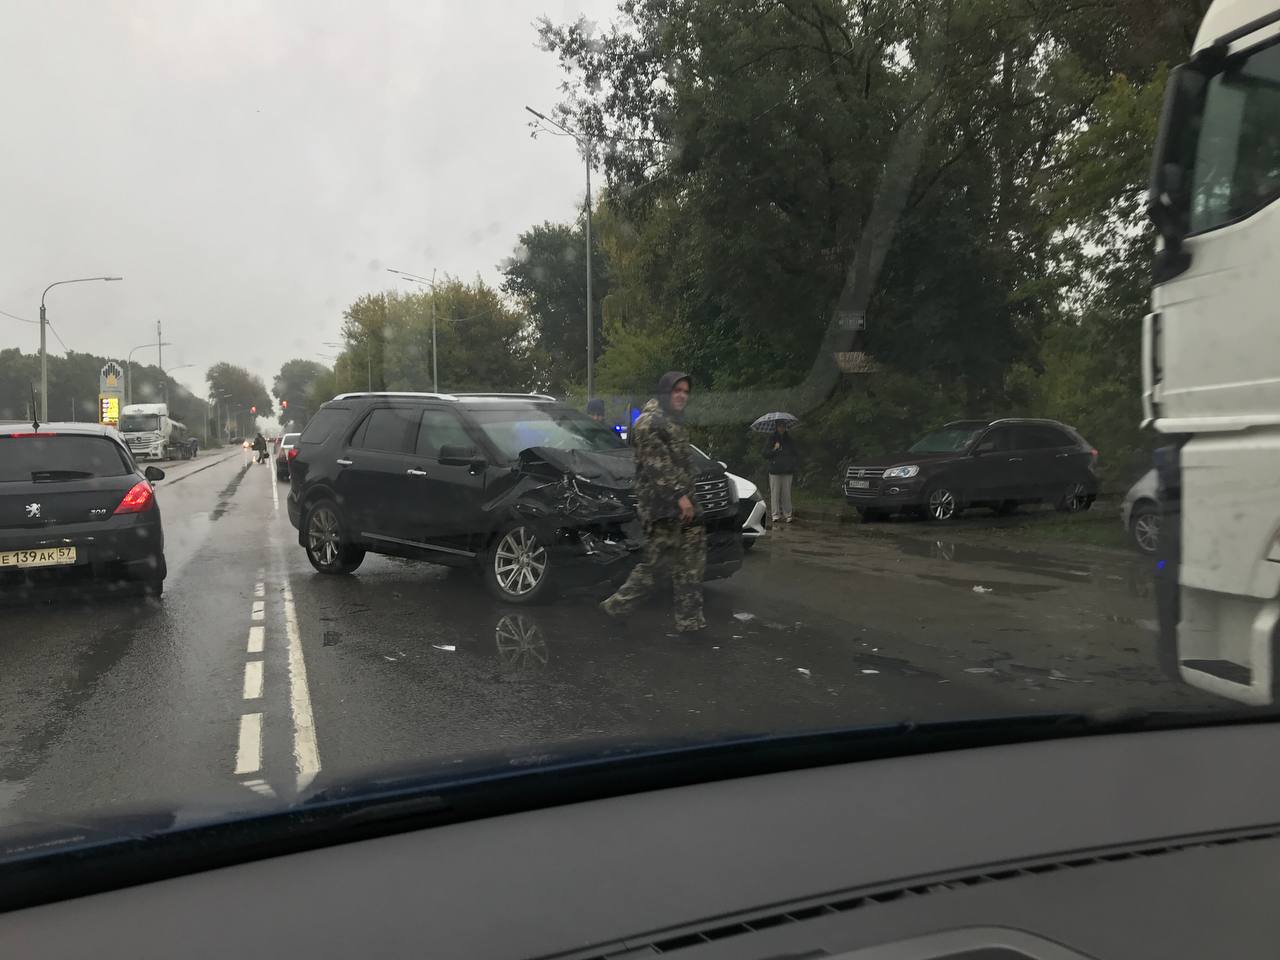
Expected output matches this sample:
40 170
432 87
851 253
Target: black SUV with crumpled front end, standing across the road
528 490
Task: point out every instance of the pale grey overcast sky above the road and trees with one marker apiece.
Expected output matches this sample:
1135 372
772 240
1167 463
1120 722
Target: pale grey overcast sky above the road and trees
252 168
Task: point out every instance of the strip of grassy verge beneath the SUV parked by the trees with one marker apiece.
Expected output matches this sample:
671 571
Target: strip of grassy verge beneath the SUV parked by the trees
1099 527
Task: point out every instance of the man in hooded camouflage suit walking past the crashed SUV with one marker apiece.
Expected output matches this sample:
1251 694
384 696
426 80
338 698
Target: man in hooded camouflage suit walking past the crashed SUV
665 495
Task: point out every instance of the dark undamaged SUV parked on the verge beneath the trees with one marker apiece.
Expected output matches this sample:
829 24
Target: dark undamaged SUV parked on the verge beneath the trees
995 464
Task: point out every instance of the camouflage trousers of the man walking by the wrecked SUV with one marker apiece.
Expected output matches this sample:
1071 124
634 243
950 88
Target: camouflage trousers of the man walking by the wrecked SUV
684 550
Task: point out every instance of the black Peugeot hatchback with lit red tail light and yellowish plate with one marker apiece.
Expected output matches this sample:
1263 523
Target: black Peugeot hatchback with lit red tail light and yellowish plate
76 508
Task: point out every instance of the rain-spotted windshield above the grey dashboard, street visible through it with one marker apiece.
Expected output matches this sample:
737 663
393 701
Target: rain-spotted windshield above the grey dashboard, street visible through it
415 239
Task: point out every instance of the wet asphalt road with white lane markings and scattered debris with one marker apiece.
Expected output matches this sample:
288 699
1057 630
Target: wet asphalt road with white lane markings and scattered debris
255 678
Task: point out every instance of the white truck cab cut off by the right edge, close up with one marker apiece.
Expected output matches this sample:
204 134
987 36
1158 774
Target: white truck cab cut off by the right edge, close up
1212 355
